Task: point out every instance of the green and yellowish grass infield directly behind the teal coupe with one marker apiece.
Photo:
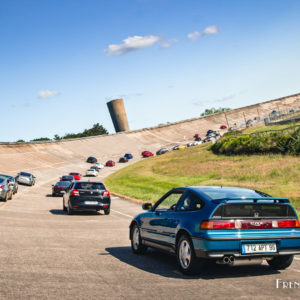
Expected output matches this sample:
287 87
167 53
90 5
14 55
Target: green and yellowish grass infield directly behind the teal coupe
150 178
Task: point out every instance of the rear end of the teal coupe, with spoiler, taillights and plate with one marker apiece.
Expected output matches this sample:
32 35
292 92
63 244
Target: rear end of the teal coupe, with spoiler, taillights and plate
247 230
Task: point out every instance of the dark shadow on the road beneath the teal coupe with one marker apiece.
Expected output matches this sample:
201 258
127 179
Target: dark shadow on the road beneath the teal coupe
165 265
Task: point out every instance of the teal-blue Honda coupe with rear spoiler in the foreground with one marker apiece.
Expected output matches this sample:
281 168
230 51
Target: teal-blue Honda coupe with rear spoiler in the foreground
228 225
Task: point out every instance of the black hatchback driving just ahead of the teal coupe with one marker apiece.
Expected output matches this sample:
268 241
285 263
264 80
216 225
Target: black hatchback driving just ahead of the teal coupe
86 196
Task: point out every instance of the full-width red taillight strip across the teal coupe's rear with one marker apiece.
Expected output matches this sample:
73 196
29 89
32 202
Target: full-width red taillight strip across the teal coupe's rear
249 224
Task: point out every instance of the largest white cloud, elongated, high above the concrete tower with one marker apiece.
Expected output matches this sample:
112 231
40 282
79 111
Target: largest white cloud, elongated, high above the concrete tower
132 44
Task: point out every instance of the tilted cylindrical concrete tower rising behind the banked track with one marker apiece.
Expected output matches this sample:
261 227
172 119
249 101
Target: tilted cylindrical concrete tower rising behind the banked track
118 114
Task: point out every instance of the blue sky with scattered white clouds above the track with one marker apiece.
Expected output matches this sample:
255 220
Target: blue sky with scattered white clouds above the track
62 60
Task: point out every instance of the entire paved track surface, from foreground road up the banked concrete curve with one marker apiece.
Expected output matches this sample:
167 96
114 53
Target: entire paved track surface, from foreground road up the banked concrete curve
47 254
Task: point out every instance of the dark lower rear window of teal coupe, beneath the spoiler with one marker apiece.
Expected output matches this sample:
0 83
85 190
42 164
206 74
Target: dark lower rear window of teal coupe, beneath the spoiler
254 211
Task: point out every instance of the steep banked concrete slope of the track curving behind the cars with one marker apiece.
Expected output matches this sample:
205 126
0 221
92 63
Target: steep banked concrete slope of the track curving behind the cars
45 158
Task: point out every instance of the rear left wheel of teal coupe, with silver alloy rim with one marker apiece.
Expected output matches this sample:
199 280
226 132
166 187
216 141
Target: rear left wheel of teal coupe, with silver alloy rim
185 254
